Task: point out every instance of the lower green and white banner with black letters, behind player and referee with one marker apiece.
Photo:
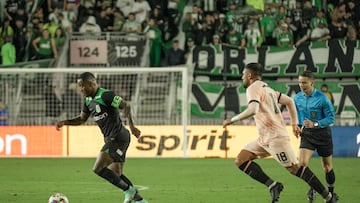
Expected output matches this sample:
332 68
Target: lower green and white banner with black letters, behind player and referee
211 100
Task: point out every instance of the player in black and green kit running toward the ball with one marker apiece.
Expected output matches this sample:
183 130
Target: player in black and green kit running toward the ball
103 105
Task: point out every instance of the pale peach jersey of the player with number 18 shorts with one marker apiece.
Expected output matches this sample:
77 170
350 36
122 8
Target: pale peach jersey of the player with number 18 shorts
268 119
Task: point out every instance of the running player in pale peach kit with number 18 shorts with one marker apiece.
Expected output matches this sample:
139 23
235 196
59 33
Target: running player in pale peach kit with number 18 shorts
273 140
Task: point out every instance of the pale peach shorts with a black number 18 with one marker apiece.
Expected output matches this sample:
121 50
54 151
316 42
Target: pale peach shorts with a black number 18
279 148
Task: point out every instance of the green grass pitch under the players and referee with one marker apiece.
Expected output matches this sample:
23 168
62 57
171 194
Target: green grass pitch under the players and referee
164 180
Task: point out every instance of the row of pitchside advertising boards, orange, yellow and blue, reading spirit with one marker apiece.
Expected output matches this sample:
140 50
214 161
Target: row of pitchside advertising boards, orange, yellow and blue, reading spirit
165 141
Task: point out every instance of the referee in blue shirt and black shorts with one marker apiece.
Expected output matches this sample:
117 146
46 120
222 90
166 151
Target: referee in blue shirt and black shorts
315 115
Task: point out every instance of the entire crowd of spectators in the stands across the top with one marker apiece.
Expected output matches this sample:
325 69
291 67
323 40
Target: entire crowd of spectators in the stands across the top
280 23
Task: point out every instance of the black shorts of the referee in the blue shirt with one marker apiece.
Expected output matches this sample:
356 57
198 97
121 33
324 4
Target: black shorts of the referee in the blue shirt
317 139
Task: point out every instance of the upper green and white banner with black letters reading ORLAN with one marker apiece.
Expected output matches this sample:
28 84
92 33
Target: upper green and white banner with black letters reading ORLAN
333 58
